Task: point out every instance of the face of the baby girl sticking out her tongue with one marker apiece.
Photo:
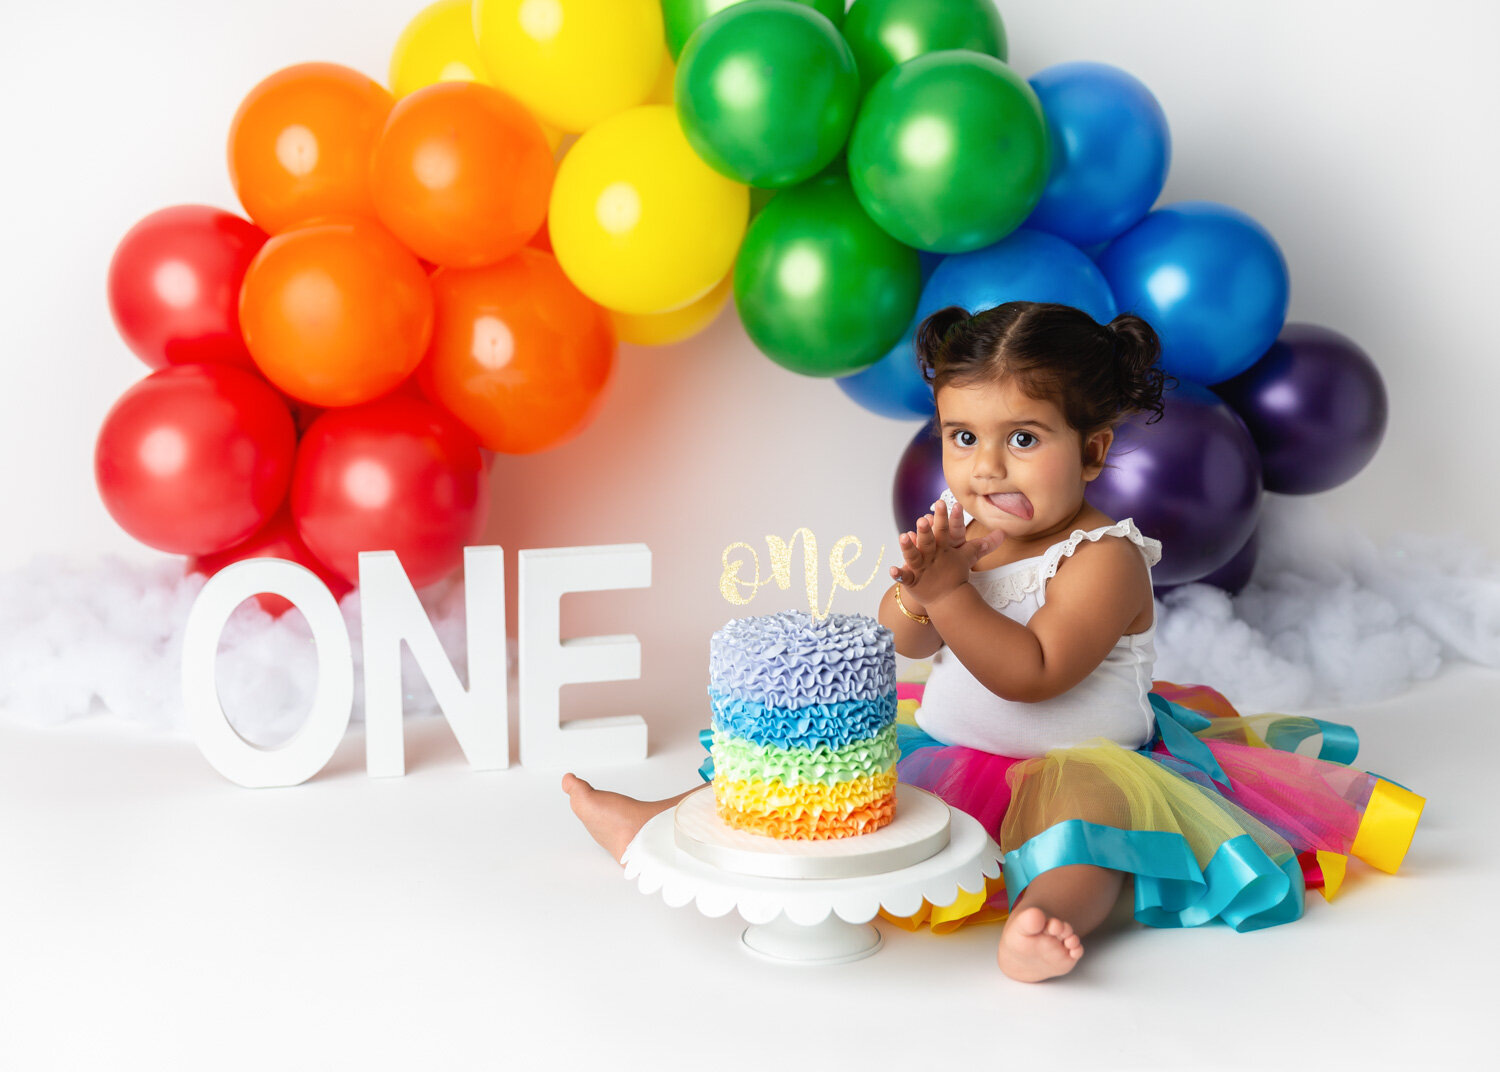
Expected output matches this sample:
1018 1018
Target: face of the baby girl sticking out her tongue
1013 463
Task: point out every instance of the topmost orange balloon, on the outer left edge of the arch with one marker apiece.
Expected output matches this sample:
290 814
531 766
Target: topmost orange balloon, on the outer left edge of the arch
301 145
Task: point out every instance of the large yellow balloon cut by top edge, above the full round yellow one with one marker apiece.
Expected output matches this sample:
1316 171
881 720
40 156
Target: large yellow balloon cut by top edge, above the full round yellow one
572 62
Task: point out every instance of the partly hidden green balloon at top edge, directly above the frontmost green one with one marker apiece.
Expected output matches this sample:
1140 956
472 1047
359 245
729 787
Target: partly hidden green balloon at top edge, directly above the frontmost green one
884 34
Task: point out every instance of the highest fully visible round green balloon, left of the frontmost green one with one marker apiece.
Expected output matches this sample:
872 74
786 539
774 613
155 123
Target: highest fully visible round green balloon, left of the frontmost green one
767 92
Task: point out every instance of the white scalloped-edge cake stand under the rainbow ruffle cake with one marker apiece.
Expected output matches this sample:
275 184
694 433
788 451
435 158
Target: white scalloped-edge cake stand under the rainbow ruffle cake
821 920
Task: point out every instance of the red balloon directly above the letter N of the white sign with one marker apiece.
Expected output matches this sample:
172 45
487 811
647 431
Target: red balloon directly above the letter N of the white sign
394 475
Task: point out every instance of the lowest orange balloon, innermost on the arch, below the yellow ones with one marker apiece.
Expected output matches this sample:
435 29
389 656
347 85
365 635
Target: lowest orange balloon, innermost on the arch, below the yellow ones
518 353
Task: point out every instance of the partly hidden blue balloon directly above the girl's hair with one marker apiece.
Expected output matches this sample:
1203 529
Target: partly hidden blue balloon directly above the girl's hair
1025 266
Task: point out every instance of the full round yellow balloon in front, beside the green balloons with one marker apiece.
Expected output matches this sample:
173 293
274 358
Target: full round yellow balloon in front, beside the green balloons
638 221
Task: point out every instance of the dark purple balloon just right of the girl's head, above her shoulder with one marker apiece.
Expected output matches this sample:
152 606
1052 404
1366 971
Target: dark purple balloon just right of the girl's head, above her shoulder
1190 481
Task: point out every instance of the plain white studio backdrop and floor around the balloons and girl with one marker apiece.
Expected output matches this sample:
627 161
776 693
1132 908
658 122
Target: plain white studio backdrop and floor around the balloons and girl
157 917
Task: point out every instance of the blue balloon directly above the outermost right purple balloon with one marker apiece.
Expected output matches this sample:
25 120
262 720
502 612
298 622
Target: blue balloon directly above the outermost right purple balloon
1210 280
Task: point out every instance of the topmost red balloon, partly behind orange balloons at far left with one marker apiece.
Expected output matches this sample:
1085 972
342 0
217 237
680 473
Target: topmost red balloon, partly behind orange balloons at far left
175 286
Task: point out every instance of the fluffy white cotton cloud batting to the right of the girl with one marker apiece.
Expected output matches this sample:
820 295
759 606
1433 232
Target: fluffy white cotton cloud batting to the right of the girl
1331 617
